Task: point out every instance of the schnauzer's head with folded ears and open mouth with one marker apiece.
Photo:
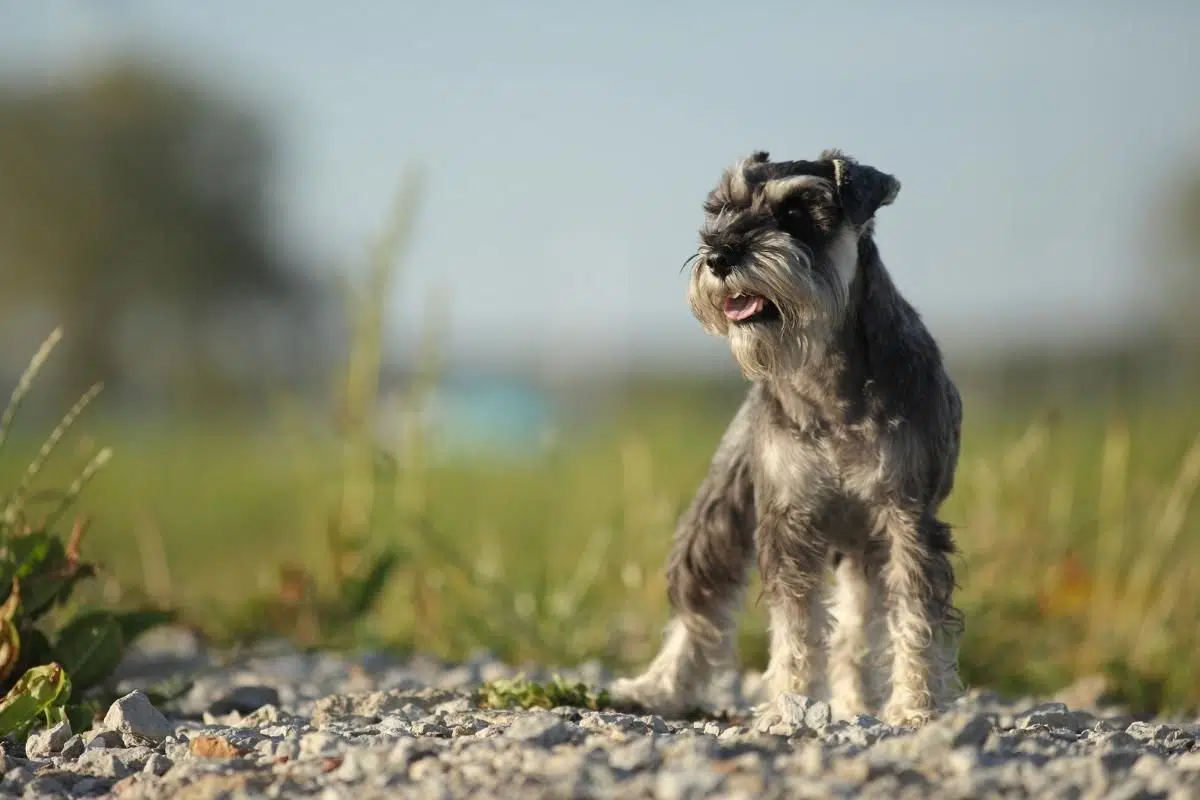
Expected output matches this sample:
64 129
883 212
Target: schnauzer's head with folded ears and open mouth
779 254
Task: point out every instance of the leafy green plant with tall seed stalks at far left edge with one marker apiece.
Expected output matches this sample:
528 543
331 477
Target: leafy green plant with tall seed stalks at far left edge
46 664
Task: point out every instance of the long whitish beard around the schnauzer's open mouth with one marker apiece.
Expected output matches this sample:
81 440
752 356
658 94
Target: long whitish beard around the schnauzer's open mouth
806 306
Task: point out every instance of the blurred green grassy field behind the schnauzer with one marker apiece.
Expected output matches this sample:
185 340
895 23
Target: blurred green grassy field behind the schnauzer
1079 537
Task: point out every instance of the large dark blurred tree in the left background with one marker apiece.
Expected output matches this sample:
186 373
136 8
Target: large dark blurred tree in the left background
134 209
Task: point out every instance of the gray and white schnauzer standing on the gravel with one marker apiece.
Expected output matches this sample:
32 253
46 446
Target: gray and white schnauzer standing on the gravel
841 456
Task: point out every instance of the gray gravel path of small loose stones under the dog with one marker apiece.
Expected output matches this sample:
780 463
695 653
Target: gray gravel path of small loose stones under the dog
285 725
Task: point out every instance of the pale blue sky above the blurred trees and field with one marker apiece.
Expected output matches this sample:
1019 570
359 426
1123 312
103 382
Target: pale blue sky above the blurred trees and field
569 146
